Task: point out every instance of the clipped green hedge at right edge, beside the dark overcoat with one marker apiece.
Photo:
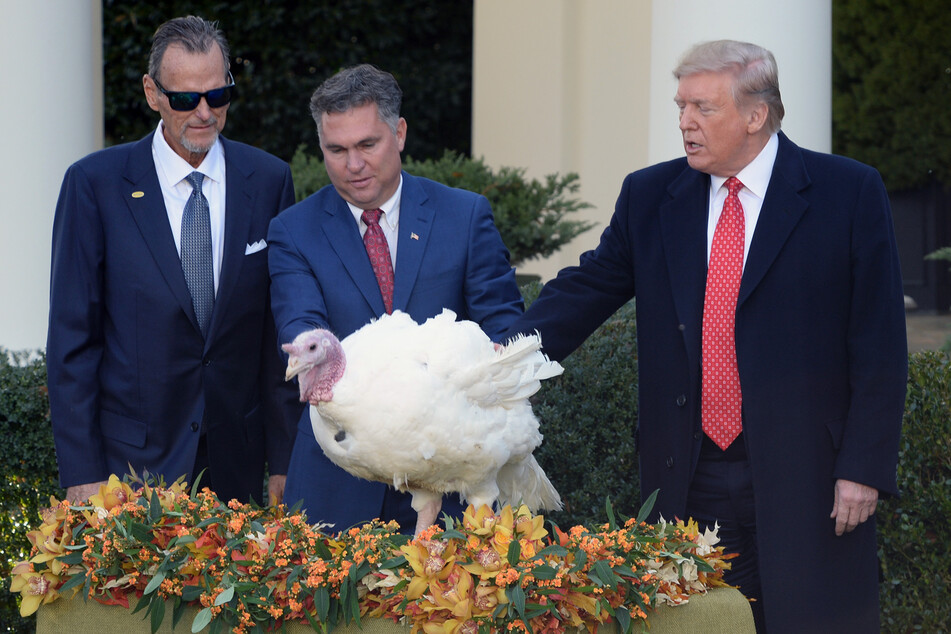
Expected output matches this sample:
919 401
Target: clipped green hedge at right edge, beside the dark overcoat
915 529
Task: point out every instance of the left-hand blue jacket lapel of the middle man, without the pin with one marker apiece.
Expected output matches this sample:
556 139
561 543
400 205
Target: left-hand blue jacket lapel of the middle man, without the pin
343 235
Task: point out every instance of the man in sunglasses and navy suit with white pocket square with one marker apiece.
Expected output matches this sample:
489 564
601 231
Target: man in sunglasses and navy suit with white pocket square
141 373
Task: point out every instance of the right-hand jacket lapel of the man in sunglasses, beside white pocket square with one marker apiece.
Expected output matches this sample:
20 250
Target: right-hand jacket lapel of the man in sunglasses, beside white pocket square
239 201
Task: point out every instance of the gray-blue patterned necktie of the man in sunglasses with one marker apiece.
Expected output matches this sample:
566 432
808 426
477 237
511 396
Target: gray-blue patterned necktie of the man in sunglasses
196 252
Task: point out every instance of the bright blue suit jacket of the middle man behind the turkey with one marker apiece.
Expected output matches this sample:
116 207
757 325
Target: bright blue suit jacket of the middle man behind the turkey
449 255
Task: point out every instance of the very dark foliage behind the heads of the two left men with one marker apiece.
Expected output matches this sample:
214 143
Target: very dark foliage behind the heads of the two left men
282 50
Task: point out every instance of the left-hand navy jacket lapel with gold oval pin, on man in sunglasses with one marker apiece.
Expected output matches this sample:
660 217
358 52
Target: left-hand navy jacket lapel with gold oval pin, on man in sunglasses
147 205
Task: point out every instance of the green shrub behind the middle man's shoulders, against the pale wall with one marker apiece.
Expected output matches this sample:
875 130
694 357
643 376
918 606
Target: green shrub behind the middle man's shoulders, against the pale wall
531 215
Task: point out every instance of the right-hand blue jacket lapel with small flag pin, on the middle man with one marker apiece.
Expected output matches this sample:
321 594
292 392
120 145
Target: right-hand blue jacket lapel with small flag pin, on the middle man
415 227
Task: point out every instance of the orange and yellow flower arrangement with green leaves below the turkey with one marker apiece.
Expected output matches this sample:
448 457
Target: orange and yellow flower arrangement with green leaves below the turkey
252 569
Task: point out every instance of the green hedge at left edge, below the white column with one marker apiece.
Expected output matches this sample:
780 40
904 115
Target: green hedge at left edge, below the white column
28 468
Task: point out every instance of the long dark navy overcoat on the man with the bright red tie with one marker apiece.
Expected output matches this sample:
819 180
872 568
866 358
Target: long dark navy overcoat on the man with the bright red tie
821 350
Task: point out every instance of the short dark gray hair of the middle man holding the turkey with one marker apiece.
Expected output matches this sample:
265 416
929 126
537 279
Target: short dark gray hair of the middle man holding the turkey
358 86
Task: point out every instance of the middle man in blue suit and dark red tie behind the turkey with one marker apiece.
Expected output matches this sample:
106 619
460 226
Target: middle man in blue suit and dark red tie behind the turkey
441 245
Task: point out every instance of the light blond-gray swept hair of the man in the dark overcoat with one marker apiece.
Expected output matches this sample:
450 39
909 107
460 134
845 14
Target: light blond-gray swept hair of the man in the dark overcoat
756 75
